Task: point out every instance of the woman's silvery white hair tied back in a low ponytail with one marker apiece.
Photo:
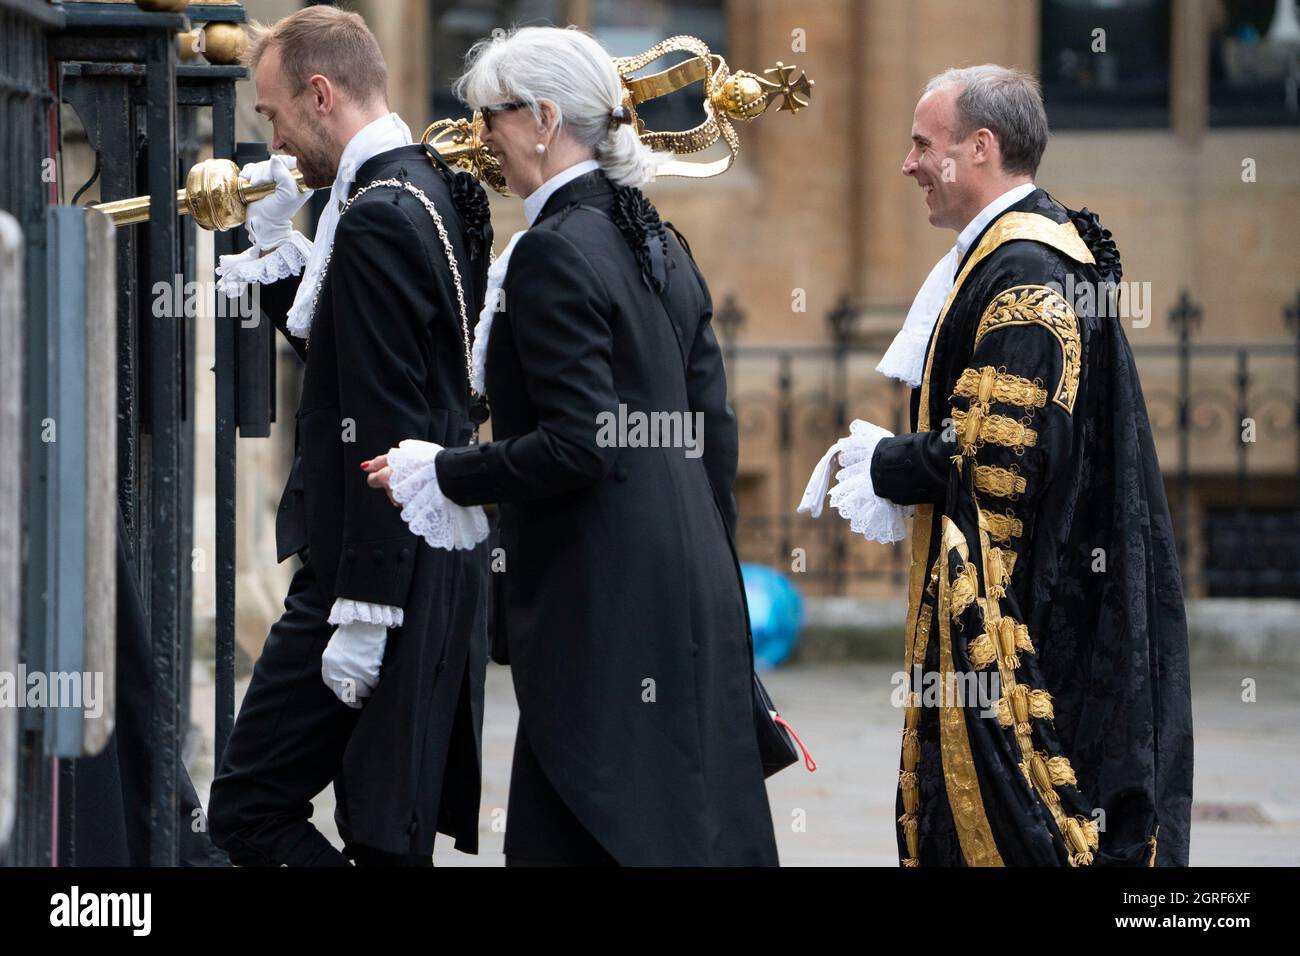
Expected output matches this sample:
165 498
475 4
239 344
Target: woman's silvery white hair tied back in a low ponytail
570 70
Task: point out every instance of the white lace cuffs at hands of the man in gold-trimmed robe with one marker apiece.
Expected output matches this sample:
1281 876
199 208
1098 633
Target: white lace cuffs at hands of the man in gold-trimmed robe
870 516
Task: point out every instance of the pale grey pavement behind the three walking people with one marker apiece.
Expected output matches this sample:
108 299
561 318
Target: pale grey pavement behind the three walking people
1246 794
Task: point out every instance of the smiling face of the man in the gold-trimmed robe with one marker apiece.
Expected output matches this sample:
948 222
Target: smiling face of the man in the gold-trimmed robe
938 162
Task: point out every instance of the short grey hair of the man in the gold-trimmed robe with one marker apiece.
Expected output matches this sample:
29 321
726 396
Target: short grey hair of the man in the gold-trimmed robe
1004 101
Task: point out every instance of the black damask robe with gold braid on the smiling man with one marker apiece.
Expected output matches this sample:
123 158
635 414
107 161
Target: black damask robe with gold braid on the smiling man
1058 471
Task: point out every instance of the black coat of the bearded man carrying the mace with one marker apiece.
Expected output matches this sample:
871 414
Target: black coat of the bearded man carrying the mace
387 362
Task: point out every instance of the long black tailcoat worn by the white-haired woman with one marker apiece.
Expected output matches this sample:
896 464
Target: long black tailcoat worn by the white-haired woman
623 608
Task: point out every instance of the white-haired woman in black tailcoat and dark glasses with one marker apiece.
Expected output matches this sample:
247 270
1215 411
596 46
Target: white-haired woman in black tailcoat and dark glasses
614 453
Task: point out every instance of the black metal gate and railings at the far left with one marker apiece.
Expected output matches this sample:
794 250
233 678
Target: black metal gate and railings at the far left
119 70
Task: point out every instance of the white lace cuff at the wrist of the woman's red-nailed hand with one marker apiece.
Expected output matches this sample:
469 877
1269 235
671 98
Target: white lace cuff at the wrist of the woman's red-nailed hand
426 509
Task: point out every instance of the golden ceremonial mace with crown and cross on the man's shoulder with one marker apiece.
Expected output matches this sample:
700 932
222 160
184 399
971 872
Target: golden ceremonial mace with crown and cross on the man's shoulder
218 197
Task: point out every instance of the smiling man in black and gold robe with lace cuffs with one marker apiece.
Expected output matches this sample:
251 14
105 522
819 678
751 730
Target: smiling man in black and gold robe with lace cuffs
1050 715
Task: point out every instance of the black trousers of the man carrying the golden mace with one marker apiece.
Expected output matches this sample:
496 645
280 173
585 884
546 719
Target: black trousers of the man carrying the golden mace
287 747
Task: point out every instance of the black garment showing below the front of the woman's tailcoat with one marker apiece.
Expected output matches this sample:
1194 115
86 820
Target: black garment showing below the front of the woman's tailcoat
541 830
